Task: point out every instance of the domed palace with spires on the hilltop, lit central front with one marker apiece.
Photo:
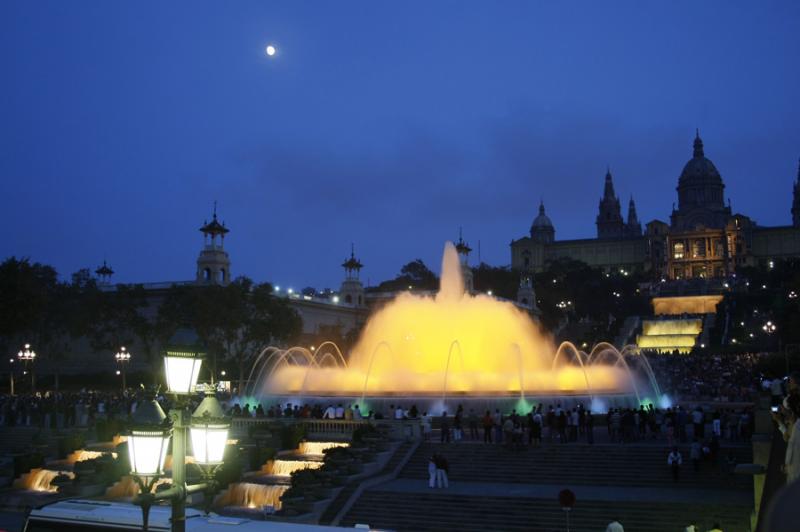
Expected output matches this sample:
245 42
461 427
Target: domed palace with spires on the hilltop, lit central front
703 239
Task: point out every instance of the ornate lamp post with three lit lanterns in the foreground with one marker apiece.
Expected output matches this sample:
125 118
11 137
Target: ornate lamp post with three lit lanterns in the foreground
209 431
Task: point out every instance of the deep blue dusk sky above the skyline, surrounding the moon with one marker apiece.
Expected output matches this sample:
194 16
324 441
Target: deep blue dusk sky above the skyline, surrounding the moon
382 123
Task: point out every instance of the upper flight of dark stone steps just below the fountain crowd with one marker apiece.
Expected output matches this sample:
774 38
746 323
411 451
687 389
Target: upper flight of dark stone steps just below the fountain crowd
576 464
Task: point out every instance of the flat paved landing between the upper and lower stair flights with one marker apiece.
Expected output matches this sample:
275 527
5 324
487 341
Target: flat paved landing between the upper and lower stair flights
677 493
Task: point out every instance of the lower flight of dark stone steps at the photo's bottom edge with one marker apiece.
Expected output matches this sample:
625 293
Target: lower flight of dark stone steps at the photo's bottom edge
440 511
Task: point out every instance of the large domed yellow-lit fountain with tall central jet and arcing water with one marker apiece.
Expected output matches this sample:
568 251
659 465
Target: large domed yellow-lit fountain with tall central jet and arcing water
452 344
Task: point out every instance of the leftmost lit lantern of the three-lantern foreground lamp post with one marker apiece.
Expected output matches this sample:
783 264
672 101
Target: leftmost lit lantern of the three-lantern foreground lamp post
148 440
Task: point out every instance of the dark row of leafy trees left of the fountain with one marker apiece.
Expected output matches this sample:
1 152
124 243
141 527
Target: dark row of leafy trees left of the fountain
233 322
